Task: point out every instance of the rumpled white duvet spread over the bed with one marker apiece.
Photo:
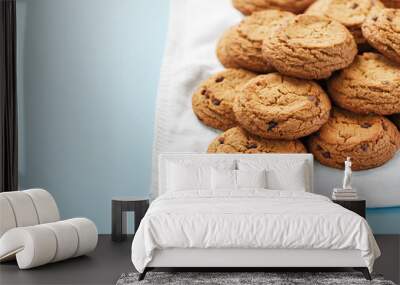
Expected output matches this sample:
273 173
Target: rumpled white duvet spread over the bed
250 219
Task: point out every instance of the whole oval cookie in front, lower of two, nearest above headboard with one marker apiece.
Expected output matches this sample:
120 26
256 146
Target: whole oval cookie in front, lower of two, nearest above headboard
274 106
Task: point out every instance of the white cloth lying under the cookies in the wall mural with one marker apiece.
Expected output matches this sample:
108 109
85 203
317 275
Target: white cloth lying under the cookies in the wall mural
194 29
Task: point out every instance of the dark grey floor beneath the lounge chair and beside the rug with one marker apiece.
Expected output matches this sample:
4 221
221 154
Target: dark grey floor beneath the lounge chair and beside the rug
110 260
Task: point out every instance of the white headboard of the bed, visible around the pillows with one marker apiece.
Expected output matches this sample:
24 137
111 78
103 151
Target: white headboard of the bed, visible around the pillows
165 158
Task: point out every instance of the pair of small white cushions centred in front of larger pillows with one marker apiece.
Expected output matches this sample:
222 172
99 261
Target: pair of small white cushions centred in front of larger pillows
226 179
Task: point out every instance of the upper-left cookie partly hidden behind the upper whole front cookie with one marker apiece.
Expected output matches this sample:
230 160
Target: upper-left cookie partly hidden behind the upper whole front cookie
243 44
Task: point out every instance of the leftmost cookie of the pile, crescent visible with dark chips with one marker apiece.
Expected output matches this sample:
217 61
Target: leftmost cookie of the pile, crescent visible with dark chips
213 99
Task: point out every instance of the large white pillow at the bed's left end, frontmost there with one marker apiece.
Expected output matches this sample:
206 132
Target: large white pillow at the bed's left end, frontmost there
183 177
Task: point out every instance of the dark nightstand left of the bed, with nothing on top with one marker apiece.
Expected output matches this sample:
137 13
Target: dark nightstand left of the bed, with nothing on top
121 205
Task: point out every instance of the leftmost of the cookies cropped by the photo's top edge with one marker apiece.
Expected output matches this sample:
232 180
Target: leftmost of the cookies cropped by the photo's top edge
248 7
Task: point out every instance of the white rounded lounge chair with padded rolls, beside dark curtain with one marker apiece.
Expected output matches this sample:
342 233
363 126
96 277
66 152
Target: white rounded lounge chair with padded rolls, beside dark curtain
31 233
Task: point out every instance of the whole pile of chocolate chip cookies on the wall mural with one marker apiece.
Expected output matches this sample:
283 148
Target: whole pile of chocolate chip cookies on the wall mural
323 81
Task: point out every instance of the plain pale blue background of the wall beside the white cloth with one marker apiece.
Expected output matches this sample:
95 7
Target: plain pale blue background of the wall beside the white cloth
87 81
